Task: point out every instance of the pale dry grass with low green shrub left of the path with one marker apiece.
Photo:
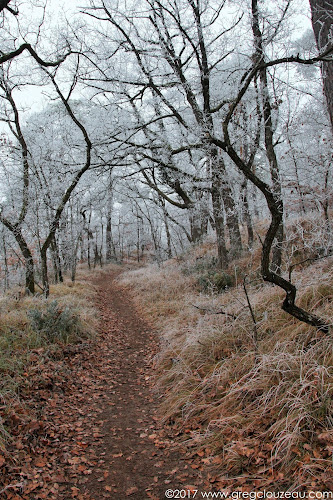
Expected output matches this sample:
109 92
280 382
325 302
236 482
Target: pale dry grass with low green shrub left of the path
34 330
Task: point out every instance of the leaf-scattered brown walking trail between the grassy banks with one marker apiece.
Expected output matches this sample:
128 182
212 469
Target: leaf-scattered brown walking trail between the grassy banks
122 451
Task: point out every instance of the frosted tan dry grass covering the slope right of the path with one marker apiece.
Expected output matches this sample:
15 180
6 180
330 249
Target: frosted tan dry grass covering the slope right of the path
264 405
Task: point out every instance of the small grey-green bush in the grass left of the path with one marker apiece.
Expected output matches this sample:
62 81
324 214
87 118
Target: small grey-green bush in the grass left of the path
55 324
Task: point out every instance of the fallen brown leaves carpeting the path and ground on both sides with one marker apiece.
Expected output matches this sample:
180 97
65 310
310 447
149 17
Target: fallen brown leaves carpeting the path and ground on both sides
85 426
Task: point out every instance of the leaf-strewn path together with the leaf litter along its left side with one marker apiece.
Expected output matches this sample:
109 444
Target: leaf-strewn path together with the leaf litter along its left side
97 434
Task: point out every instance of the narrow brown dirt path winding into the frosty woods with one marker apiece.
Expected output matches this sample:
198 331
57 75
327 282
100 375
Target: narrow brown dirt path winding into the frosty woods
133 455
